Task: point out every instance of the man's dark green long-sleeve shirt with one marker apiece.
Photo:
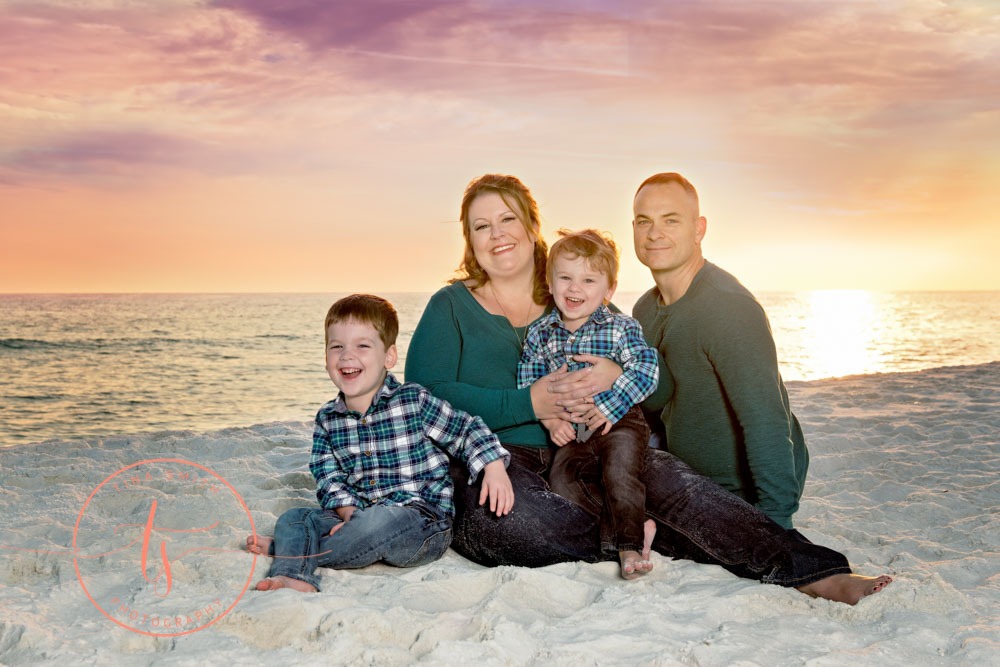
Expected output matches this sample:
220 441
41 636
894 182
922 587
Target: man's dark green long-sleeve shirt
722 401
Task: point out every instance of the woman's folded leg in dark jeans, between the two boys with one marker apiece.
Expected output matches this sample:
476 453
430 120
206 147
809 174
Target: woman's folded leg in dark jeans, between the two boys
542 528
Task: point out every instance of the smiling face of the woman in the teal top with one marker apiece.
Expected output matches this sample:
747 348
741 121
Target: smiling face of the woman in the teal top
503 247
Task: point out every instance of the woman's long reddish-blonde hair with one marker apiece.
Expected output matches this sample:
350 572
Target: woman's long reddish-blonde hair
517 196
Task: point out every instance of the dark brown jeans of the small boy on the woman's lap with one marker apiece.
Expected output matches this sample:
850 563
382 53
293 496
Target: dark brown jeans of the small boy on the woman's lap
615 461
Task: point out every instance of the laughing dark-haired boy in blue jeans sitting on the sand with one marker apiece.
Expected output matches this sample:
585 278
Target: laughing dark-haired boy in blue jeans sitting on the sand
379 461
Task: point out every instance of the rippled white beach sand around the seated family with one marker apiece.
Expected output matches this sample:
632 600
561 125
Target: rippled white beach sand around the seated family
905 479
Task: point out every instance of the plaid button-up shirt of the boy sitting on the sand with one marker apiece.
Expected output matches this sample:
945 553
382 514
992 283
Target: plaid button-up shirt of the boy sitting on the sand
395 453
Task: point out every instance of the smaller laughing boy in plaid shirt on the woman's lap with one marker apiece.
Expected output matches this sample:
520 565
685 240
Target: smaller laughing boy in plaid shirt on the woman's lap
582 275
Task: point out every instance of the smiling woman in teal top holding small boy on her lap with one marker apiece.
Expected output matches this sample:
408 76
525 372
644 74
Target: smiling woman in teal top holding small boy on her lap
466 348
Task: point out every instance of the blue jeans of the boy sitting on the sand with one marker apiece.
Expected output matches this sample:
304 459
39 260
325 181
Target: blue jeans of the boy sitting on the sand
400 535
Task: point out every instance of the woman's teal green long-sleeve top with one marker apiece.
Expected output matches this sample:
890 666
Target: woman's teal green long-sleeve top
468 357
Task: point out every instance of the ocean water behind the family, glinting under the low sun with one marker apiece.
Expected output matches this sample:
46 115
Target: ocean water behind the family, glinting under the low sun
96 365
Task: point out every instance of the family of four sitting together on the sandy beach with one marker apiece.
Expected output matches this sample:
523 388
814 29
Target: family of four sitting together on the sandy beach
522 372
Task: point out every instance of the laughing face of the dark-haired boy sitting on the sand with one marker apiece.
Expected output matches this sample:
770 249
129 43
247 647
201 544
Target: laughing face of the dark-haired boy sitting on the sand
356 359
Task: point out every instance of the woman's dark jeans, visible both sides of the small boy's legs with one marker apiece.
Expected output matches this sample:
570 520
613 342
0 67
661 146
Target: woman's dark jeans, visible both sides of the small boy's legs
696 519
